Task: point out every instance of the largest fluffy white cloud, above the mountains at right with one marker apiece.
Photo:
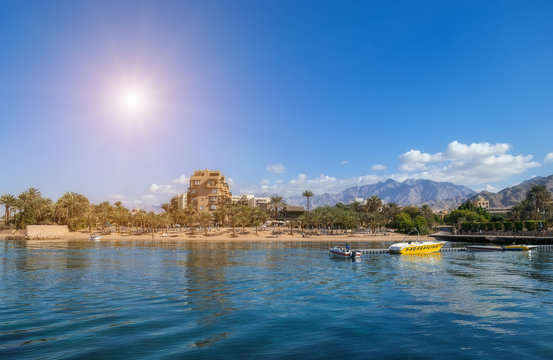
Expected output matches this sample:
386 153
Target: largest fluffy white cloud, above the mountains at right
473 164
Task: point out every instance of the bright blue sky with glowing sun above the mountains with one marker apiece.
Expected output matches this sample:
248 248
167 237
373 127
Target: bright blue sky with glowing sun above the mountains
282 96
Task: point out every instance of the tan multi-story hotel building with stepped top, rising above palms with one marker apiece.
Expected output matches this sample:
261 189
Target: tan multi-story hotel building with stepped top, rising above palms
208 190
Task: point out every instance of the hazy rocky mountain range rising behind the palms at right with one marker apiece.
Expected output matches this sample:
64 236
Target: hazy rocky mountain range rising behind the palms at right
439 195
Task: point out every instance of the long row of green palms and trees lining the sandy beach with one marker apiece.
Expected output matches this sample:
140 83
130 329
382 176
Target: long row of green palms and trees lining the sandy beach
75 210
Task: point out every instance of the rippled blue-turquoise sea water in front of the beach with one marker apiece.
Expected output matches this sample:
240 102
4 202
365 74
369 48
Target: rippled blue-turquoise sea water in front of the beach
232 300
